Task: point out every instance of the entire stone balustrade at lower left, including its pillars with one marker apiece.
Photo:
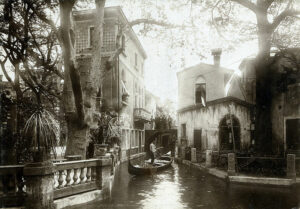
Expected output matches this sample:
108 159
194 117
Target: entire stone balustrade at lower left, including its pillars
58 180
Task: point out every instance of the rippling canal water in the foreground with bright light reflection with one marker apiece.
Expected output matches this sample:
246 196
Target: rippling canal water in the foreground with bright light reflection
185 187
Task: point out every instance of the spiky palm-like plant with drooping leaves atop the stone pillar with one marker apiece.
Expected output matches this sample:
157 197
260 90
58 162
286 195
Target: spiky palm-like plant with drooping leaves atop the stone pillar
43 129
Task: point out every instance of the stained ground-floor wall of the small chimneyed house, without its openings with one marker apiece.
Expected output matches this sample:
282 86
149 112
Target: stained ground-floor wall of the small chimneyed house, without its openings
208 119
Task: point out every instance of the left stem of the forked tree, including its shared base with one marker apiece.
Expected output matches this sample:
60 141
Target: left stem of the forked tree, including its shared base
73 97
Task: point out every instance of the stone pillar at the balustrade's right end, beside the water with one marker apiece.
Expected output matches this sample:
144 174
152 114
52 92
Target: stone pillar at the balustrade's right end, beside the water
103 172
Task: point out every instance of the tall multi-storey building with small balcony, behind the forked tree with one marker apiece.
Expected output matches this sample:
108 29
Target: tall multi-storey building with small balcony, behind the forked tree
123 89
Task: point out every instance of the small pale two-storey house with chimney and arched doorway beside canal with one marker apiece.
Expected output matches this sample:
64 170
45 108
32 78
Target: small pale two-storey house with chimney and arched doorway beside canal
212 111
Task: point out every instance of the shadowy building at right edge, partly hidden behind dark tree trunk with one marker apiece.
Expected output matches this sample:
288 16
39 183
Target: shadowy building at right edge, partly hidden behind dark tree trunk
285 104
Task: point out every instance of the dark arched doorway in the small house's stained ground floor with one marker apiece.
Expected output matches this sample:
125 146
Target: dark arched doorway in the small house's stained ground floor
229 132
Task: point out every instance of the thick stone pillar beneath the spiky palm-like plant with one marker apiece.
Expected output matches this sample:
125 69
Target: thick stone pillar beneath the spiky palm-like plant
39 179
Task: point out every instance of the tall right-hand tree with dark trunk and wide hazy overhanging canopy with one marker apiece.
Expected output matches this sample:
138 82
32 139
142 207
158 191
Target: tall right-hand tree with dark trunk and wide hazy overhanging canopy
269 22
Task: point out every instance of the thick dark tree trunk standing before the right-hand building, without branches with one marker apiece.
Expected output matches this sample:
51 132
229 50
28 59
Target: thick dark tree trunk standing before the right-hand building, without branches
263 124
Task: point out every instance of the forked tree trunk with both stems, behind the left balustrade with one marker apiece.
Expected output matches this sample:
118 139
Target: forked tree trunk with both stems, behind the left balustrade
79 117
